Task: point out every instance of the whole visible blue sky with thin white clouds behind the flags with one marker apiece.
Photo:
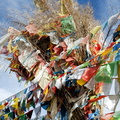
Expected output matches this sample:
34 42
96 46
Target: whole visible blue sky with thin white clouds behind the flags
103 9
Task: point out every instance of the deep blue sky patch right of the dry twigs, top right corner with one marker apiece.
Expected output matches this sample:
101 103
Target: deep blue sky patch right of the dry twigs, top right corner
103 9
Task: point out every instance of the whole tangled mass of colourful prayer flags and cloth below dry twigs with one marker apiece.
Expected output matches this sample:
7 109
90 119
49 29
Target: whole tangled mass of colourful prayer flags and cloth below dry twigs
74 76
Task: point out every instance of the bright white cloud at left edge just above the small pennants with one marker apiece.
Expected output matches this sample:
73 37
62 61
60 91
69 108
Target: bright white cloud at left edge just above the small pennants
4 94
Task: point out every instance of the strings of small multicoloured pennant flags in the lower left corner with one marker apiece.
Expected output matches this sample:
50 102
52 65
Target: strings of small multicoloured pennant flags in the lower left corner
19 107
